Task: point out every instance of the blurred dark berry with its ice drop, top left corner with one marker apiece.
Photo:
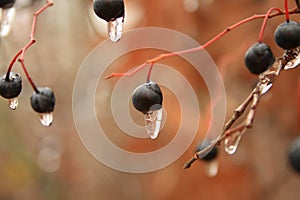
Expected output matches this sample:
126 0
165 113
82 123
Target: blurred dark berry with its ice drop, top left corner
7 15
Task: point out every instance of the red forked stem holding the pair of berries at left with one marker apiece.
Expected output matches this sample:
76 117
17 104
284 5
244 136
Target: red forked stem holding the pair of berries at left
20 56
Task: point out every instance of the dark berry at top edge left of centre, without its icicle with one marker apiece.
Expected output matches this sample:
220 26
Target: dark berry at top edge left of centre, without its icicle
109 10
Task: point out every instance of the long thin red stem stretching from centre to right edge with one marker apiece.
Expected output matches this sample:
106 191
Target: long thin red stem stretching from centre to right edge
211 41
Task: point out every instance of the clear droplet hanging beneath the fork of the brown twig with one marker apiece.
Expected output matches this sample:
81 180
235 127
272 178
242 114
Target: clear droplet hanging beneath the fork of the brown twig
232 141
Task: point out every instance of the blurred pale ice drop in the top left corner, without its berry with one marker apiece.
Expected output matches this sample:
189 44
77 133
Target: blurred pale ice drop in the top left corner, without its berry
7 17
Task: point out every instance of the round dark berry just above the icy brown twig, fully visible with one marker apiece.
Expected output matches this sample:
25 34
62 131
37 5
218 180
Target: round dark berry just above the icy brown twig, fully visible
259 58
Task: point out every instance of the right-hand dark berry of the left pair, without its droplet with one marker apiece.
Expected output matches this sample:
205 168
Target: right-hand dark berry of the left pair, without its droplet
43 101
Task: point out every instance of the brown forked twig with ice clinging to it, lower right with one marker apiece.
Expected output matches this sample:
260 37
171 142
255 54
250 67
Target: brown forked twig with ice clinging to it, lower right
290 59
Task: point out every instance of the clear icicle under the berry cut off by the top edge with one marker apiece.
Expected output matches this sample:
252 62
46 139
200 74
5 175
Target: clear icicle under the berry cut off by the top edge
115 29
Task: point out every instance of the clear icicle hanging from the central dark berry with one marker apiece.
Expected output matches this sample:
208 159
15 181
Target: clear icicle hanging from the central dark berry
153 122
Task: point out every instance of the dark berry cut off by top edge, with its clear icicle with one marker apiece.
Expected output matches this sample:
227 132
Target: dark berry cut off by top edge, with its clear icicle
113 12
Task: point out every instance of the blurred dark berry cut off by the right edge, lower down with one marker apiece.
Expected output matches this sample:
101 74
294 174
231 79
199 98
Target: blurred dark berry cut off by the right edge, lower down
294 154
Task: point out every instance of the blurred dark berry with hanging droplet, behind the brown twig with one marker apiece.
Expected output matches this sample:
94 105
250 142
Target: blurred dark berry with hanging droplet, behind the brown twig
210 158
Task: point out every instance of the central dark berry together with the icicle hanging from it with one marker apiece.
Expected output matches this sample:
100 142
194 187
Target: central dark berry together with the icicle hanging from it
147 98
